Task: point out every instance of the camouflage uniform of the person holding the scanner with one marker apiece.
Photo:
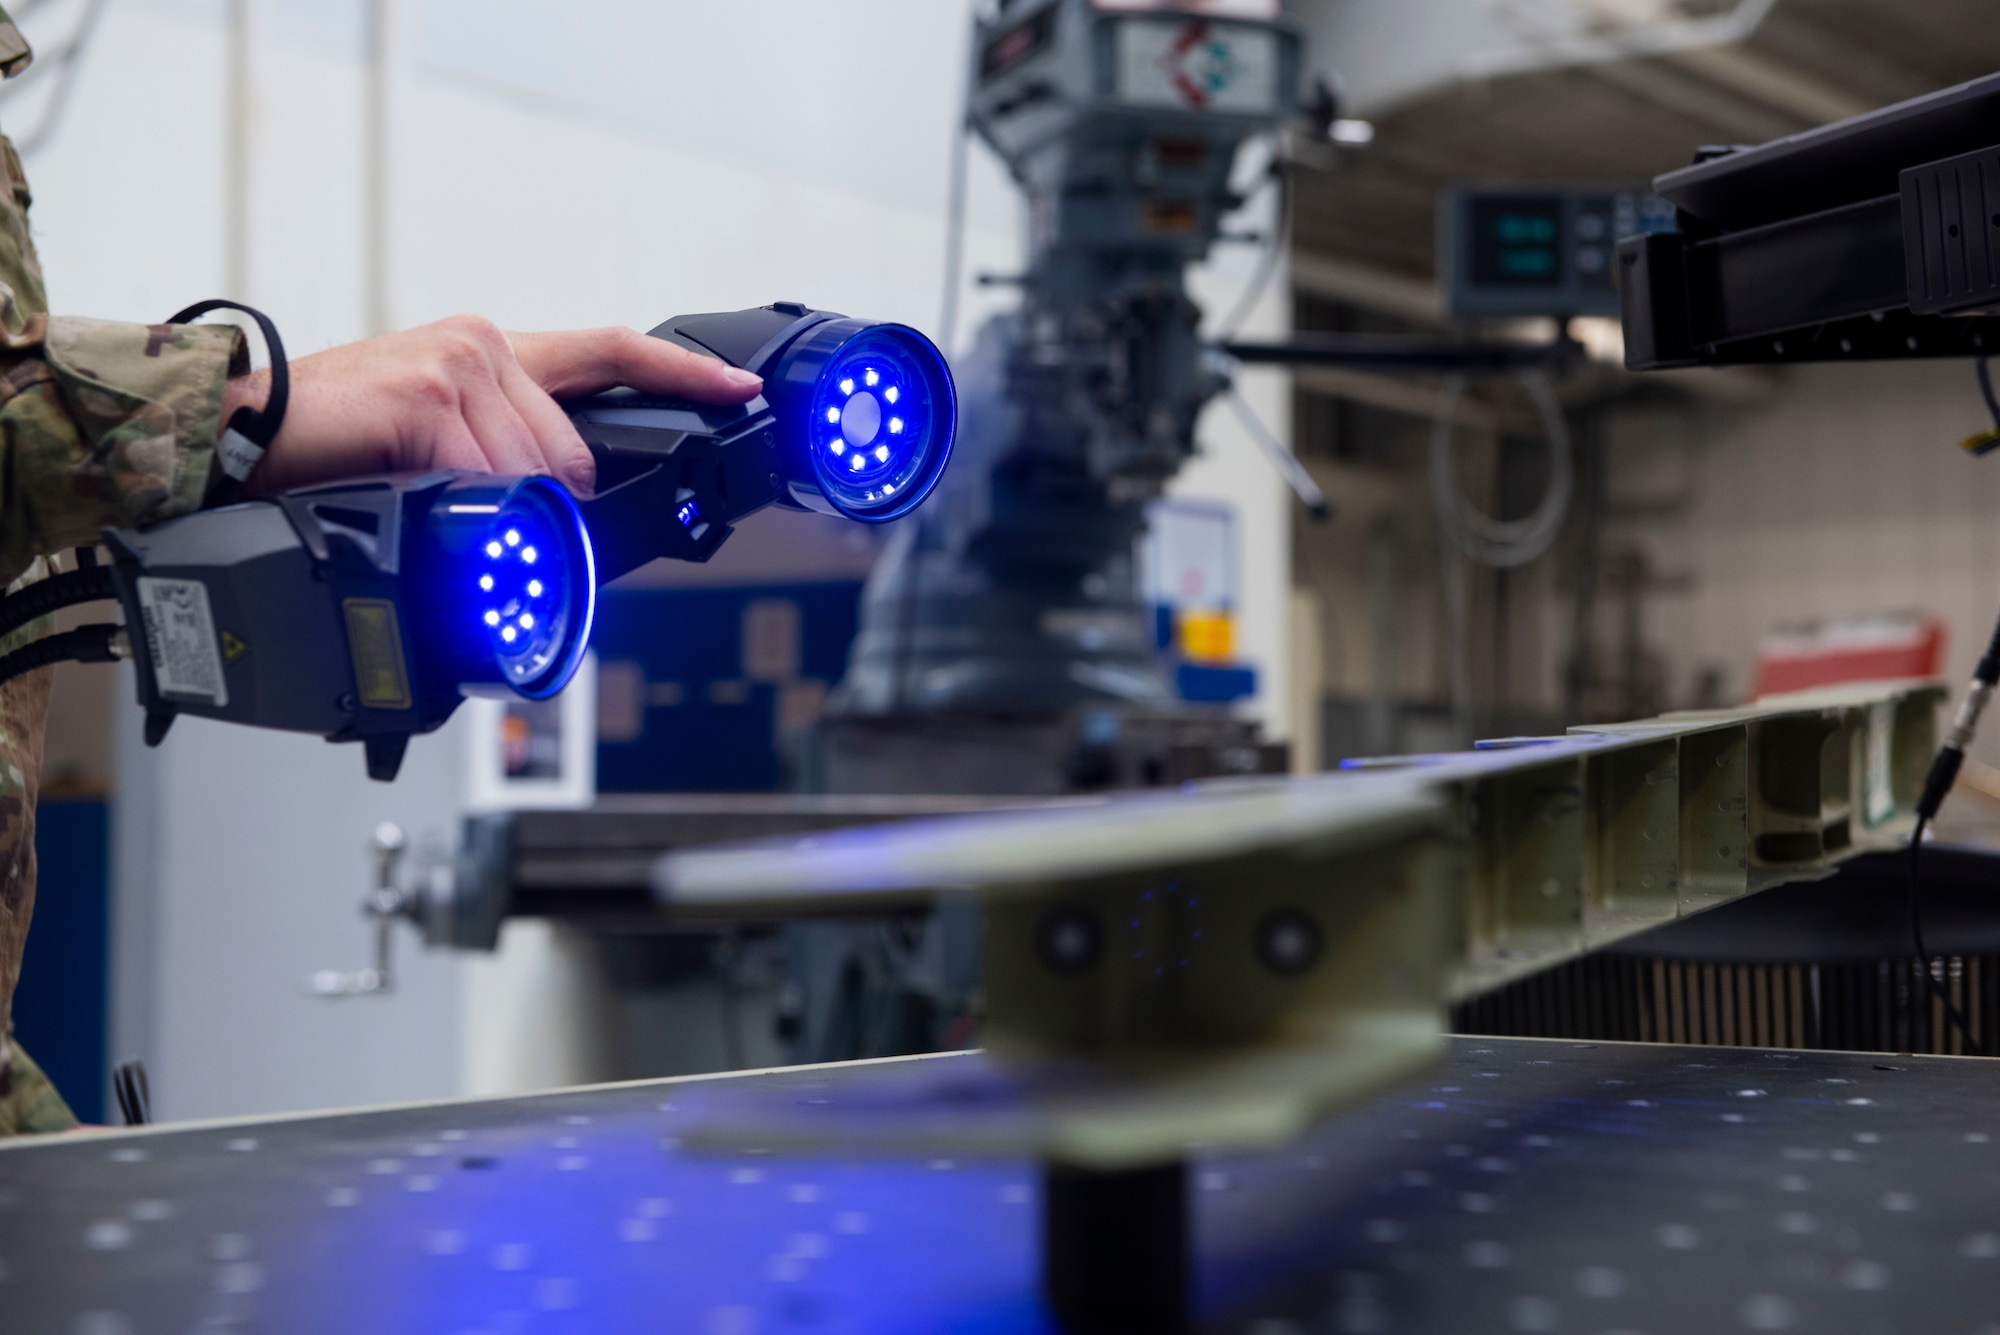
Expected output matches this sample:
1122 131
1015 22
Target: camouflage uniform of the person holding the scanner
101 425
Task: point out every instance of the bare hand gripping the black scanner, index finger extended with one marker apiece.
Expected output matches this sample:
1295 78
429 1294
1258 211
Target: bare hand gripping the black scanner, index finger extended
465 395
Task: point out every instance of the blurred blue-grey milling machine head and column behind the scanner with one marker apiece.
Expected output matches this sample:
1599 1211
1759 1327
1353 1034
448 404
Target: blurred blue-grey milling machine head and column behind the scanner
1005 643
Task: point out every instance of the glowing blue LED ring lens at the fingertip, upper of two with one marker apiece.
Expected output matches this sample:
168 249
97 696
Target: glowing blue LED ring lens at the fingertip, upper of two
869 413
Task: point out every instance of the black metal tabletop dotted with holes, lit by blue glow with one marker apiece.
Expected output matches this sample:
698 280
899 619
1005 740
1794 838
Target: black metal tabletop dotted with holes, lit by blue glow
1529 1186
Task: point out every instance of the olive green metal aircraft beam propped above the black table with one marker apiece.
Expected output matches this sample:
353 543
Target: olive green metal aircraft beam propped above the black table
1223 966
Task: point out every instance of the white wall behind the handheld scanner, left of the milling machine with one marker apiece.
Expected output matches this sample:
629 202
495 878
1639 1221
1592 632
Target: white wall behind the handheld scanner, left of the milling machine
581 163
